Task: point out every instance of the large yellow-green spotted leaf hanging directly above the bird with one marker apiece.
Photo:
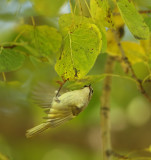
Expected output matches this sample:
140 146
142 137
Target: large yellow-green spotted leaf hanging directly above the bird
82 45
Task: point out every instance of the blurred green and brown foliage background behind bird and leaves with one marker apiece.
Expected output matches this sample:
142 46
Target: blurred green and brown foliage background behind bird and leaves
79 138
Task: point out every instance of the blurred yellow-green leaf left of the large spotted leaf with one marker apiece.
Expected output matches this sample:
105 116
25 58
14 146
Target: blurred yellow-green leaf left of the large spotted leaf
42 41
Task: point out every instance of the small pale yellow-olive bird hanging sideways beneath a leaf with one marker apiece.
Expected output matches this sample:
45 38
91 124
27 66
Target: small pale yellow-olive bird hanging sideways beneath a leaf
62 108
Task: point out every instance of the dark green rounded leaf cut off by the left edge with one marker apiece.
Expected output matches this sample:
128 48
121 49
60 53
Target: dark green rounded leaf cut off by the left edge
10 60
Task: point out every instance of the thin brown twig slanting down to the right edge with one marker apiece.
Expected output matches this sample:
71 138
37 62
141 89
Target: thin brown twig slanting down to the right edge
127 62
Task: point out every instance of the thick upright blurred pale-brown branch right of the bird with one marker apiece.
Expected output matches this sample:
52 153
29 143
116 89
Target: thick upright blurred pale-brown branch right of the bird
105 111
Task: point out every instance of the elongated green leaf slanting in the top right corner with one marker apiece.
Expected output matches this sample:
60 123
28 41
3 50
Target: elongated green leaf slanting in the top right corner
133 19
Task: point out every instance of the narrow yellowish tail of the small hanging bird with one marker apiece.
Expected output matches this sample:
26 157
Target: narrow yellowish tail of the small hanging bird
37 129
